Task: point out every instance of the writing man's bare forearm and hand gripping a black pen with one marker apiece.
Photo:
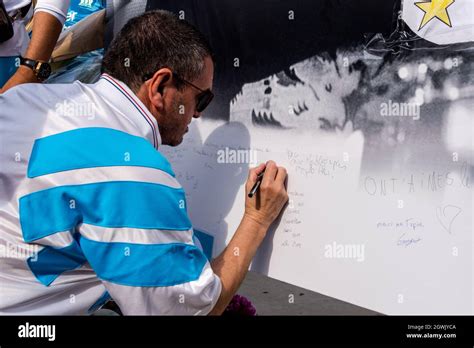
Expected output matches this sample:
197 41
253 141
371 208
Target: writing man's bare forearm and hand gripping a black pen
260 211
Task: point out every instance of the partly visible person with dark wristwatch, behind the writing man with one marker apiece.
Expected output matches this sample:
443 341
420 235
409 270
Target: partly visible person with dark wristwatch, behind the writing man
23 60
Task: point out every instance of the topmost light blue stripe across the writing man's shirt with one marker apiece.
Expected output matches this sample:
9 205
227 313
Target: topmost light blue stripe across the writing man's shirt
93 147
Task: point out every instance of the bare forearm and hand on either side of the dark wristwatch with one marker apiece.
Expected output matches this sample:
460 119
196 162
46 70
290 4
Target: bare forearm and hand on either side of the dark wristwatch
46 30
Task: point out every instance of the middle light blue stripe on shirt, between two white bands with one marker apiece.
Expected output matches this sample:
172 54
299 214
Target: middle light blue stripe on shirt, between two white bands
107 204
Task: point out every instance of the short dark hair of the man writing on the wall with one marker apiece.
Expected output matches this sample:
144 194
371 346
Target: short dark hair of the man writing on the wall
152 41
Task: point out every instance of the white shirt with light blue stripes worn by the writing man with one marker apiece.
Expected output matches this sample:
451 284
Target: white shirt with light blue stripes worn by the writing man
89 207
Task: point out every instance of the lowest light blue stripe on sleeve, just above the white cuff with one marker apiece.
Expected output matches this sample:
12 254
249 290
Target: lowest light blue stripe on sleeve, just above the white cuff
145 265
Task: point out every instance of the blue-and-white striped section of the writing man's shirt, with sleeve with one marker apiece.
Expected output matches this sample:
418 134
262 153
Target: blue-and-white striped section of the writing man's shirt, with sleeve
118 203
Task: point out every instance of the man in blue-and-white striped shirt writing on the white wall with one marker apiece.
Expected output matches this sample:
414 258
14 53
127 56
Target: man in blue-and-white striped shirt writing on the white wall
95 200
